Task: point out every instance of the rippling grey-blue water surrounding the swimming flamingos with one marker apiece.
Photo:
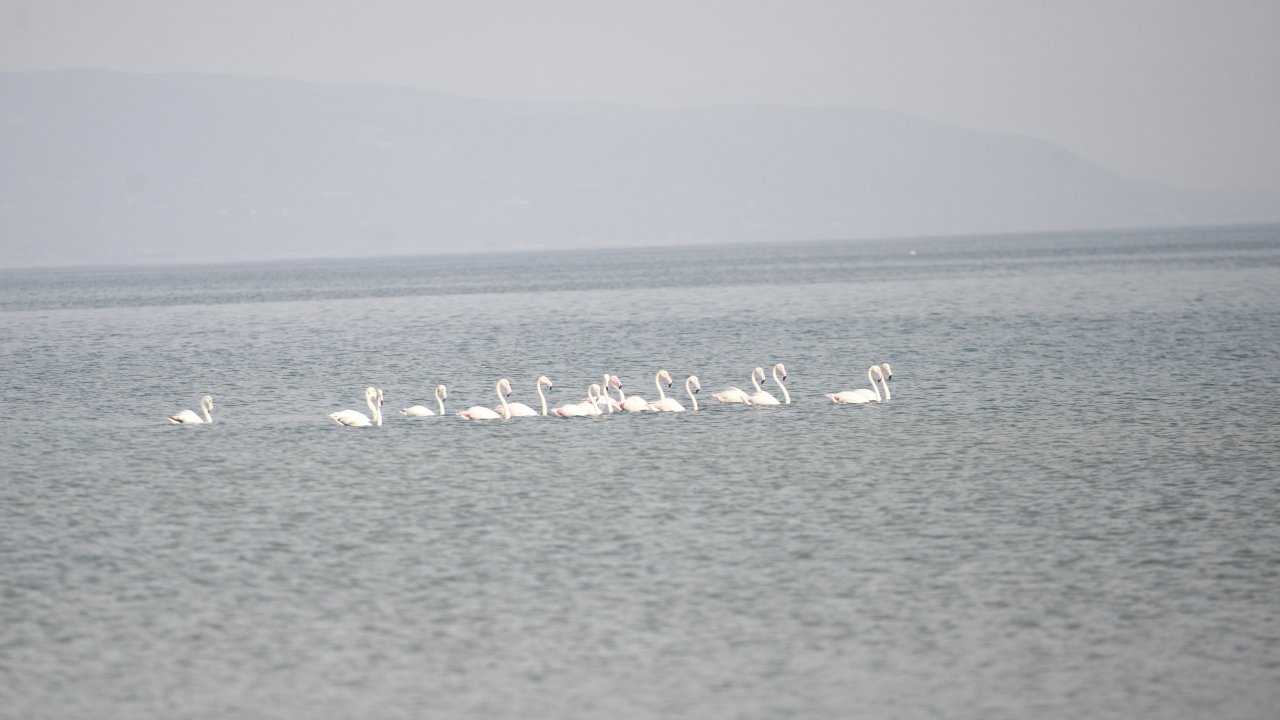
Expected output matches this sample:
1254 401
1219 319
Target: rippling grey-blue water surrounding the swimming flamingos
1068 509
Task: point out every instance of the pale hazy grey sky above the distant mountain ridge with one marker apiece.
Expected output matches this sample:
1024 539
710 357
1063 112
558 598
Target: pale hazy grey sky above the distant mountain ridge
1181 92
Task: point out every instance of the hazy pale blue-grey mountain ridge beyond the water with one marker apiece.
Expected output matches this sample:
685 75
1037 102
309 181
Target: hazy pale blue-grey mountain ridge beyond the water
104 167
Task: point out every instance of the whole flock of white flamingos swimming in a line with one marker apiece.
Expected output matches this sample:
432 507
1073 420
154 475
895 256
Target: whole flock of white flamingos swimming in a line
600 400
